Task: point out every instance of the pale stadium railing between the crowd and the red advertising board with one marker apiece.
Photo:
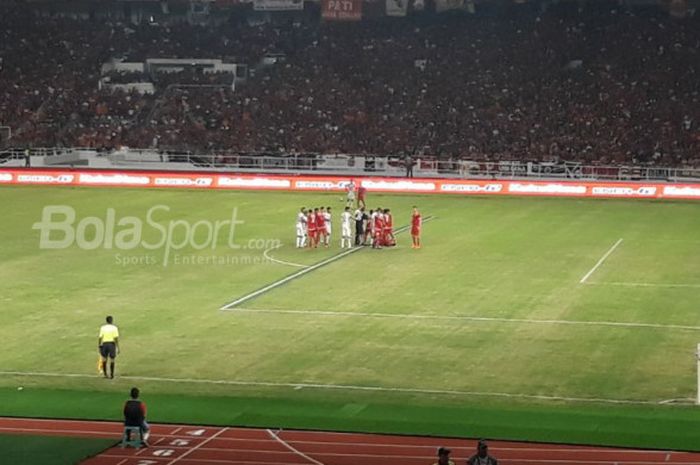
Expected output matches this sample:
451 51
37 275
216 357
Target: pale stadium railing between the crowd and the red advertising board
346 164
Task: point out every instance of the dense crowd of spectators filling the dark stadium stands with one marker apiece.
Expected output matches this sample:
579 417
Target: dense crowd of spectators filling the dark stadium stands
598 85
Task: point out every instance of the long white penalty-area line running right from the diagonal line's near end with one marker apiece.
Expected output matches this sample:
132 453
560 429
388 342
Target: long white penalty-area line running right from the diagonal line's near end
486 319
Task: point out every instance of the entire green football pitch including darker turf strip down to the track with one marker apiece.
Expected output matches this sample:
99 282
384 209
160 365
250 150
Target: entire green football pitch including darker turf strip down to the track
489 318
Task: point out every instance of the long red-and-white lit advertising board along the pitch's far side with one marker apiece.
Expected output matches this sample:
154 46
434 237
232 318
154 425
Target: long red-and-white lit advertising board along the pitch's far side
204 180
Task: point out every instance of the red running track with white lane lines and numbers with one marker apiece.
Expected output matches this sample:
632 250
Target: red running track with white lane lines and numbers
193 445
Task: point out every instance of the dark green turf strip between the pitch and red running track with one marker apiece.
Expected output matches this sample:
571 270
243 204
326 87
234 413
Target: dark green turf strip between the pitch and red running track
645 427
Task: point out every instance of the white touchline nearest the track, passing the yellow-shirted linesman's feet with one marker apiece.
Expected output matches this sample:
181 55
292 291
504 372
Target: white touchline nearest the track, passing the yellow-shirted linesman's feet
344 387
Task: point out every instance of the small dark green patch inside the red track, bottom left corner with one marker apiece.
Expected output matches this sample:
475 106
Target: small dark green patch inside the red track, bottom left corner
48 450
